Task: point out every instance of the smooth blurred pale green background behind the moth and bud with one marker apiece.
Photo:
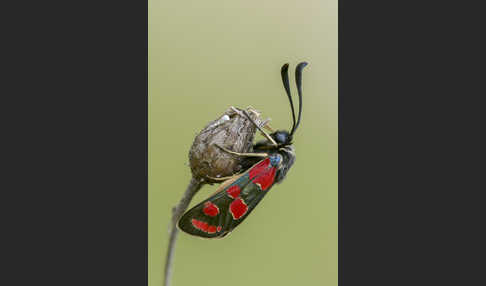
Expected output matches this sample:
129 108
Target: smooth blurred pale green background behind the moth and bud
205 56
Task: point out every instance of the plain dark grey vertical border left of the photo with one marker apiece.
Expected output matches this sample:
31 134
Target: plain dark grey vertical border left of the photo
74 97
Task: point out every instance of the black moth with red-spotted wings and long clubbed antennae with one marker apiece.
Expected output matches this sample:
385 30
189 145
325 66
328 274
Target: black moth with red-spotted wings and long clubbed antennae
267 165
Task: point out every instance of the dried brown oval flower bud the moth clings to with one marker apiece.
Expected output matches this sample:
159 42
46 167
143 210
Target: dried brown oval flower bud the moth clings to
233 131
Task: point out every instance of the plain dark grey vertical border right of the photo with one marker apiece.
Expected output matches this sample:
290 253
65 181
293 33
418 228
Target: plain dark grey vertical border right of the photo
411 146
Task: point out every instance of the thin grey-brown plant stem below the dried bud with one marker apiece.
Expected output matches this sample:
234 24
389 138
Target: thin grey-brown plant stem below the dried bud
177 212
